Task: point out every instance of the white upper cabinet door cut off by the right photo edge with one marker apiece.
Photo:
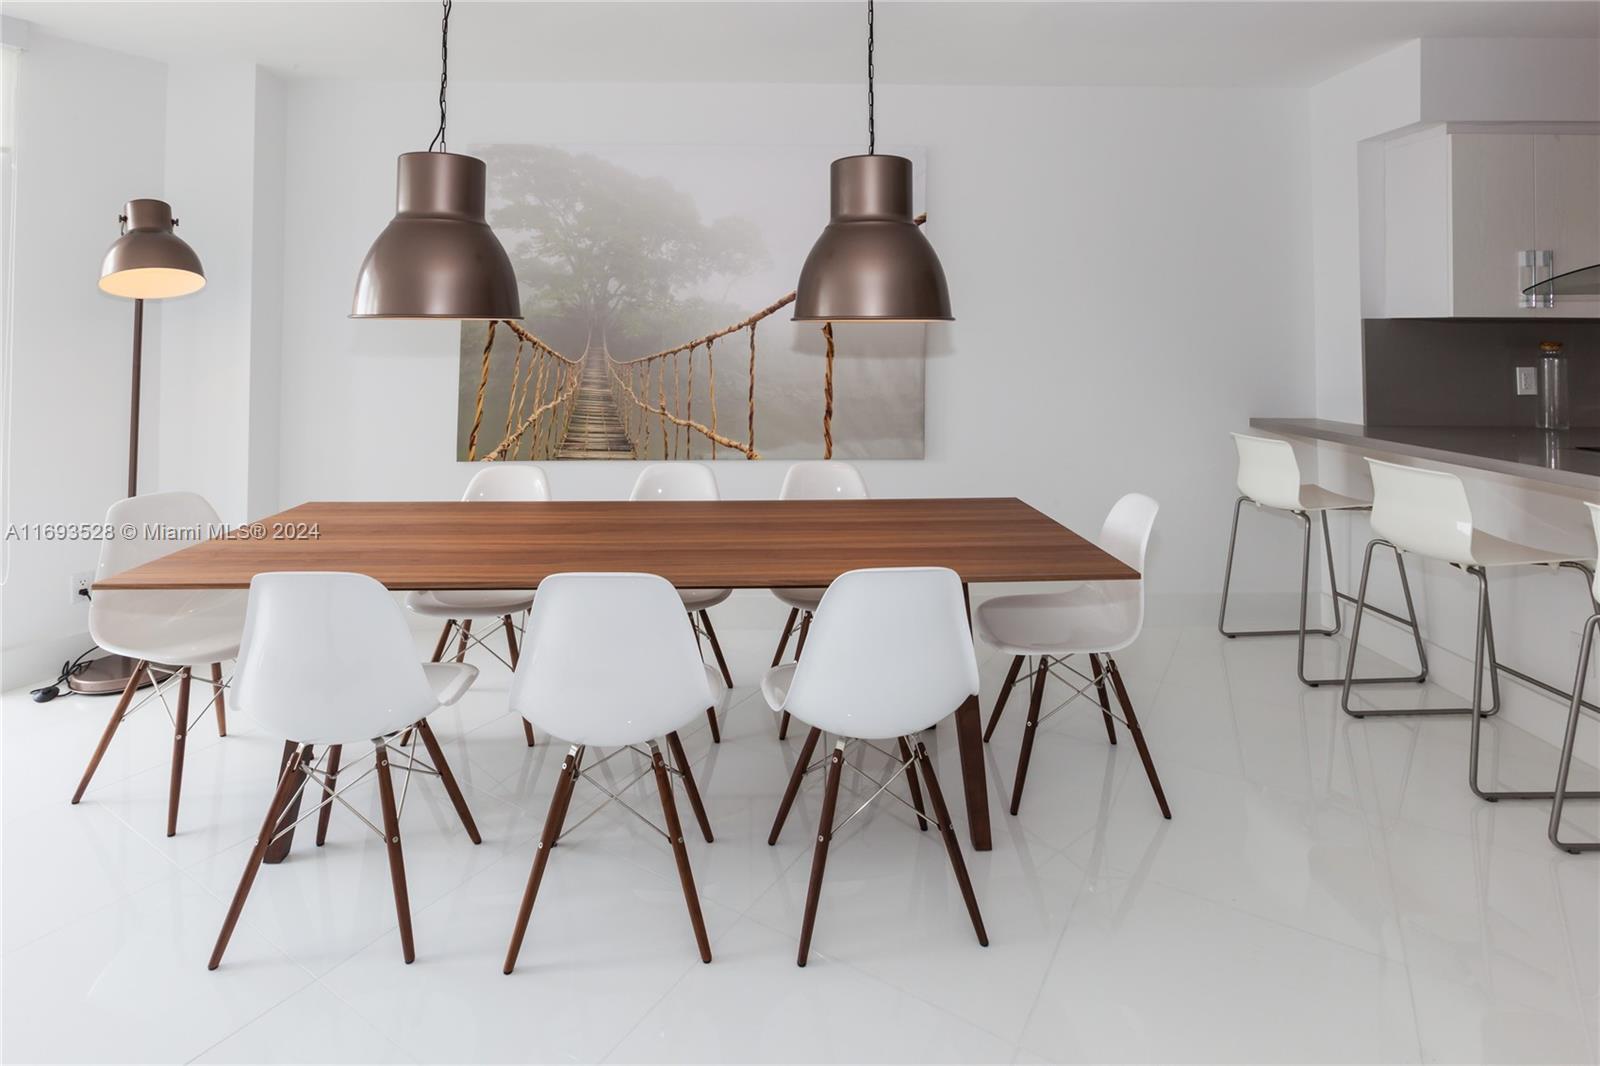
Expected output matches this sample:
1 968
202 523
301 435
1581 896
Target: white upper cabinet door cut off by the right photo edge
1567 206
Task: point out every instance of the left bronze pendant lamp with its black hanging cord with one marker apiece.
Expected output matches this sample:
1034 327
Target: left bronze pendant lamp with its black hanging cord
438 258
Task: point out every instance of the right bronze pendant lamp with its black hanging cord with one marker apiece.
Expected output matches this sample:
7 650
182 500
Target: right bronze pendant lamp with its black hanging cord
873 262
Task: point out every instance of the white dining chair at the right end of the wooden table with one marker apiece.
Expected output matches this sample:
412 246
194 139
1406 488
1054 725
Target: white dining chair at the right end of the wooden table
1090 619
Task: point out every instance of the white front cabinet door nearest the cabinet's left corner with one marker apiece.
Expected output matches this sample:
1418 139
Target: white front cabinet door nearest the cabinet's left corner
1492 196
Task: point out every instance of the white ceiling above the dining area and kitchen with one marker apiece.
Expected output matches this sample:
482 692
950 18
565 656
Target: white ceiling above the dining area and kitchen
1078 42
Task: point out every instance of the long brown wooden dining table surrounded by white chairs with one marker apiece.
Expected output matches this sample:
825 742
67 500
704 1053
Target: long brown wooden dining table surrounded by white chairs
735 543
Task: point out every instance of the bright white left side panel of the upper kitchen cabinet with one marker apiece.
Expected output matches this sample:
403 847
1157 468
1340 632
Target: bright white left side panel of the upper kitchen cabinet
1417 228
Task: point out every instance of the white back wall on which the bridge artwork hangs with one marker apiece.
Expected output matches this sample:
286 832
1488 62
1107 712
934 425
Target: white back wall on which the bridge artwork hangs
1130 273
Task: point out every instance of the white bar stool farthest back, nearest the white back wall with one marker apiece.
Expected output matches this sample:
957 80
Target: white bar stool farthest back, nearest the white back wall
1270 478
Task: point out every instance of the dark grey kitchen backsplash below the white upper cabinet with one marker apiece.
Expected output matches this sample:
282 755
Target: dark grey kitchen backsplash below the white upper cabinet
1463 372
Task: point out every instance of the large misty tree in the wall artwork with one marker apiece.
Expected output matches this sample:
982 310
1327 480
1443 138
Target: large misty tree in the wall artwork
609 252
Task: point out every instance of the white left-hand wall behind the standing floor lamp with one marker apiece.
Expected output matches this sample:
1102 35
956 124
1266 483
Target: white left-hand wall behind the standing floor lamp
90 137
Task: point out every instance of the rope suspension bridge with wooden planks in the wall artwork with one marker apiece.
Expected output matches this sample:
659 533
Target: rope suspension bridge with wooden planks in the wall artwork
596 407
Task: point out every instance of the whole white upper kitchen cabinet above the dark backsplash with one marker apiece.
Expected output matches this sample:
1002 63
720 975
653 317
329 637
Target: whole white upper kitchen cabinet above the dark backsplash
1462 206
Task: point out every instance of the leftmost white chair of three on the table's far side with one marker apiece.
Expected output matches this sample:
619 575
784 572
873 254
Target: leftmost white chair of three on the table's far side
460 609
